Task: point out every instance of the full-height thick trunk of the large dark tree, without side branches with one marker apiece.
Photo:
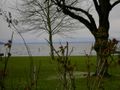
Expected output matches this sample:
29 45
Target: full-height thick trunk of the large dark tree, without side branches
101 38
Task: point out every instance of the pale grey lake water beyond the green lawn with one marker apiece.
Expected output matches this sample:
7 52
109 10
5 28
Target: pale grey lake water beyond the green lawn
42 49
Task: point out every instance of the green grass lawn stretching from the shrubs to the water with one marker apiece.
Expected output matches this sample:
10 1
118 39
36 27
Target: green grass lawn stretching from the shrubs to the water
19 67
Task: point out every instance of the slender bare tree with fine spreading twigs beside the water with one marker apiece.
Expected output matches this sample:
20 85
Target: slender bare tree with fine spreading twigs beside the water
41 15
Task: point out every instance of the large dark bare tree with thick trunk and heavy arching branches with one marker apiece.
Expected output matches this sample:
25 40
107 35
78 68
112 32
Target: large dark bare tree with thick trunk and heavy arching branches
100 31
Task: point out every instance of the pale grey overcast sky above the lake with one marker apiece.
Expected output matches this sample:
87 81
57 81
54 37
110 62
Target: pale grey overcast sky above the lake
78 35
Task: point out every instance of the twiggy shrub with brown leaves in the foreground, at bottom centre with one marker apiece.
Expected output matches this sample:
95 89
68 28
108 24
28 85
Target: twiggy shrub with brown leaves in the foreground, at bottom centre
65 68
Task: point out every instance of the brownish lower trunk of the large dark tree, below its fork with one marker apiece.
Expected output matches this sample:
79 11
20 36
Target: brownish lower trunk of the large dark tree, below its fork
100 46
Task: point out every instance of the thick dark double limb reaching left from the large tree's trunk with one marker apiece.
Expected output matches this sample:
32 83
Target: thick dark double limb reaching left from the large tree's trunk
67 10
